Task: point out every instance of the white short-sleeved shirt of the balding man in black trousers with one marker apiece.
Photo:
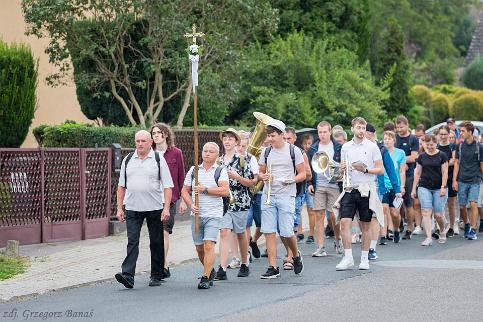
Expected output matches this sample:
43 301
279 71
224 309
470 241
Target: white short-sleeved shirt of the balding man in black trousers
145 192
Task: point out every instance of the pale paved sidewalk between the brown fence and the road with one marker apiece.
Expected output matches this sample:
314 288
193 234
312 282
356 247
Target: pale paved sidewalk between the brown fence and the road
60 265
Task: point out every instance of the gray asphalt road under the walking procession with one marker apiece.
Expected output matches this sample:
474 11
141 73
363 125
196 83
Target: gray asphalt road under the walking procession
437 283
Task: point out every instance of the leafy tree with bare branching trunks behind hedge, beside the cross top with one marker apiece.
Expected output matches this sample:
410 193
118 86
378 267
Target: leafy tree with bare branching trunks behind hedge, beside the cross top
159 51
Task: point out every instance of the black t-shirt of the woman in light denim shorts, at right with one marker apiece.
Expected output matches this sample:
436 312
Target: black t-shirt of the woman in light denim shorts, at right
431 175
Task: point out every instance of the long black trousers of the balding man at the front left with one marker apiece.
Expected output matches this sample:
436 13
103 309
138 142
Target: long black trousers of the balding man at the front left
134 222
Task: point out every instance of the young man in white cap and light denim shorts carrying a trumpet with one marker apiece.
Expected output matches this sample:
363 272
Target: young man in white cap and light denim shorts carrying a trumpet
281 167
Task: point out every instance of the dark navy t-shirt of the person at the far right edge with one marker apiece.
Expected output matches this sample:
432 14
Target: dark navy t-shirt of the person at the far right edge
469 165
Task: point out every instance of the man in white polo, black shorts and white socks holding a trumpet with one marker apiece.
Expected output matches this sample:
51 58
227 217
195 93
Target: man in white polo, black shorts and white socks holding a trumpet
361 163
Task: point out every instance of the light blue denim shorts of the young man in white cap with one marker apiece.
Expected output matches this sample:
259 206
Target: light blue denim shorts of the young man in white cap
279 215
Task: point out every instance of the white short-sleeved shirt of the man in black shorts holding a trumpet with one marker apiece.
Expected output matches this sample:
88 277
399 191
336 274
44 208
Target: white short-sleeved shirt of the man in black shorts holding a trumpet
367 152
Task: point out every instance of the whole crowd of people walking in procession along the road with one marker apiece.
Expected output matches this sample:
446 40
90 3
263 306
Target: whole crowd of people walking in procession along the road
374 190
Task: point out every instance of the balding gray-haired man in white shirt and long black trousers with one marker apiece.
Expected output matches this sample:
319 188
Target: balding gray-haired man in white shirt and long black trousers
144 189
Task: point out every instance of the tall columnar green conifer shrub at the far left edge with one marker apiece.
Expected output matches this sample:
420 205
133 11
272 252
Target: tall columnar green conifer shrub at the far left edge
18 82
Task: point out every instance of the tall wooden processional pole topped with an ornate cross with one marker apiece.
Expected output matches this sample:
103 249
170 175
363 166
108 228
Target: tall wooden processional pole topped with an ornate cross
194 59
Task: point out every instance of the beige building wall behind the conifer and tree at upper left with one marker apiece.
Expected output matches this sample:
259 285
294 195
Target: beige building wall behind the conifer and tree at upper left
54 105
